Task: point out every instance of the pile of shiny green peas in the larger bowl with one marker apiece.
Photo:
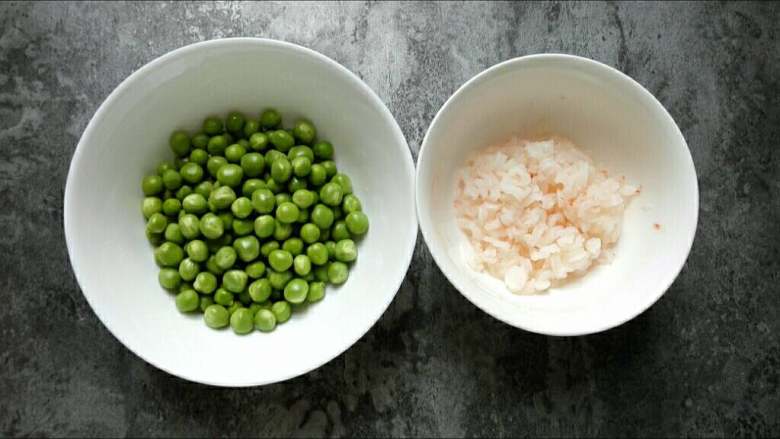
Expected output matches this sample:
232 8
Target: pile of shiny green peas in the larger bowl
251 221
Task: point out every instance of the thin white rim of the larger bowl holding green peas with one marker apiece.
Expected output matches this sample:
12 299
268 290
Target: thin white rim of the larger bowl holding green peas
132 79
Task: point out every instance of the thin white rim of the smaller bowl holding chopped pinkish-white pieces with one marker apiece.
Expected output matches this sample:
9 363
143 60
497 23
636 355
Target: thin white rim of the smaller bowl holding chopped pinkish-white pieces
573 60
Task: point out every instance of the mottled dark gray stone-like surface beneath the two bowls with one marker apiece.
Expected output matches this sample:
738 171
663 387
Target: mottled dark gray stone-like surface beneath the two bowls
704 361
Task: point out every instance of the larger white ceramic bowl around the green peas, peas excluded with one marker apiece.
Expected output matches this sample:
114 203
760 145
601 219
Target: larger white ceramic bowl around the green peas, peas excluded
127 137
